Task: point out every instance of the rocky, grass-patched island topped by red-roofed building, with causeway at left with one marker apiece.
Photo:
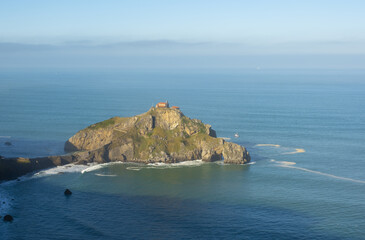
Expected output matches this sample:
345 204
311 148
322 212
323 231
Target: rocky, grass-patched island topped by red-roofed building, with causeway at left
162 134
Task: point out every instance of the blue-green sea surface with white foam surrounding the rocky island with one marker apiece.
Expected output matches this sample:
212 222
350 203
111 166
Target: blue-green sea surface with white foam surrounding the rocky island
305 131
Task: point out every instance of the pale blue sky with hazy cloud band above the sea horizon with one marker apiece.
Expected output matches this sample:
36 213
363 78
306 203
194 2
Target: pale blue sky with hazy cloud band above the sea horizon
231 32
